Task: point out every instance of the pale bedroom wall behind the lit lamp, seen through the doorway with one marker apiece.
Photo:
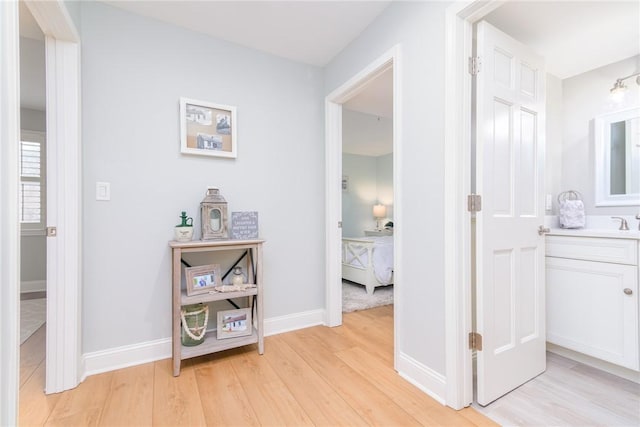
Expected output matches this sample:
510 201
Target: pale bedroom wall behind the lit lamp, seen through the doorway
370 182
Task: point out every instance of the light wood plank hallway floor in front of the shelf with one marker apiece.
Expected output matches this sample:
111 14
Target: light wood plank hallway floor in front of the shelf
315 376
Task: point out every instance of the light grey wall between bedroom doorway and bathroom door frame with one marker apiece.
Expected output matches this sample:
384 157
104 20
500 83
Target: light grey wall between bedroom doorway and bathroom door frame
419 28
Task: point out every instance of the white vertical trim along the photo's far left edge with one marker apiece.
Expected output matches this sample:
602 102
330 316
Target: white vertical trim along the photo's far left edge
9 226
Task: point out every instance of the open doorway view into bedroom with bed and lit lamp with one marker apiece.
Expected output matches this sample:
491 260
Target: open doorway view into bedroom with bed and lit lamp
367 196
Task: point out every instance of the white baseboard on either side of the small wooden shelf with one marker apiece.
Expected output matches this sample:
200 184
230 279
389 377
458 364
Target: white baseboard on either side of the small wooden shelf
136 354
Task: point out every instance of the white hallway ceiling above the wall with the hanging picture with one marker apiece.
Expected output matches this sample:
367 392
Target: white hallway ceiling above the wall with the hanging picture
311 32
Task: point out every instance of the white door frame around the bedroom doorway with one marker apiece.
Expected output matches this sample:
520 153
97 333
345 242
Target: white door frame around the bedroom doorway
333 192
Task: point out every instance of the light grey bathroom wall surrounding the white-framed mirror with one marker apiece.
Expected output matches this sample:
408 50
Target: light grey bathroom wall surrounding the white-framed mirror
584 97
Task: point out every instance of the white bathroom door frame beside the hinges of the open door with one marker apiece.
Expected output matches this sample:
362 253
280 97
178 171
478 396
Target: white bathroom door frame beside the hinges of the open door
459 20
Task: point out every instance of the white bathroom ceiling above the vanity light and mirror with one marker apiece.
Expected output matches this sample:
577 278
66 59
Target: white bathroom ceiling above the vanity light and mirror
573 36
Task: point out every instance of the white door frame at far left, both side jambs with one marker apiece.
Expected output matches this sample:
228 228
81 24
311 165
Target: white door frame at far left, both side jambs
63 346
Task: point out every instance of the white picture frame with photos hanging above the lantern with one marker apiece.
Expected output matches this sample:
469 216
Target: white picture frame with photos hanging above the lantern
208 129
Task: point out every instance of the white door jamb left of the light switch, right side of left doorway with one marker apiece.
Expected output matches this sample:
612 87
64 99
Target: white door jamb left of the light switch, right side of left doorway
63 349
